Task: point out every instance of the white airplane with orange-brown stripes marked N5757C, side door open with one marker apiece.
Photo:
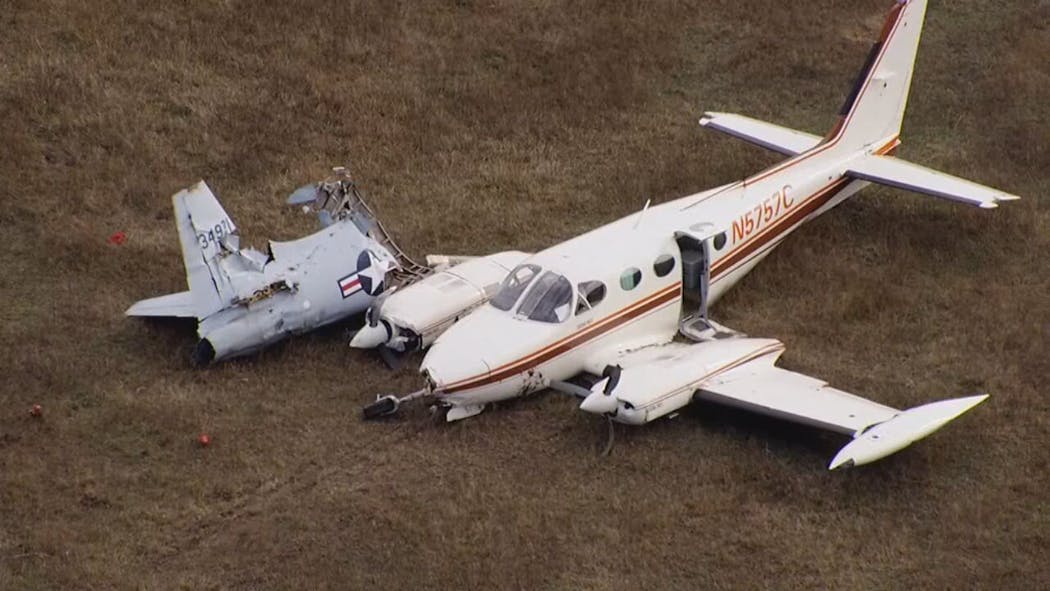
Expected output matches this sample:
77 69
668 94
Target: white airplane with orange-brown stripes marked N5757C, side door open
611 303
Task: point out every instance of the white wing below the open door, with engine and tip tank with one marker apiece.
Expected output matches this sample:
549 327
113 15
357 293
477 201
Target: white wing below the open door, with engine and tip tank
657 382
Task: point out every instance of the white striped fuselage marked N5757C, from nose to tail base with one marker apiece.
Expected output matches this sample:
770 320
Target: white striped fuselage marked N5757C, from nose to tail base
498 354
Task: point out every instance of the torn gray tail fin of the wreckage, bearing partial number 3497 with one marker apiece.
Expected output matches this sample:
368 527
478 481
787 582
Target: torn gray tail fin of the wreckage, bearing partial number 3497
205 233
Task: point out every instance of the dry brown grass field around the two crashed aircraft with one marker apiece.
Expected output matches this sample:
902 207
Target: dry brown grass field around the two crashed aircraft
482 126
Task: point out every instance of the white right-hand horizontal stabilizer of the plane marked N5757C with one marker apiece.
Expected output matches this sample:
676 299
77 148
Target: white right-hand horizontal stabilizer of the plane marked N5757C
902 175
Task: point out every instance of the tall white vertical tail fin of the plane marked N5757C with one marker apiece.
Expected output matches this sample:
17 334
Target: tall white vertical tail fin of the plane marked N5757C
874 110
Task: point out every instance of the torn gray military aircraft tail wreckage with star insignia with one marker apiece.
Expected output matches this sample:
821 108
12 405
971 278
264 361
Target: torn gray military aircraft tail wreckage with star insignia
245 300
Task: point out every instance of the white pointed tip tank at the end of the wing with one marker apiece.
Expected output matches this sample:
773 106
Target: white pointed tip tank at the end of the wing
906 429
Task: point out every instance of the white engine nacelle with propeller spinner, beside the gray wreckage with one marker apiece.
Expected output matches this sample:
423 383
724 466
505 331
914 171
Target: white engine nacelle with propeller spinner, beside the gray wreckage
414 318
